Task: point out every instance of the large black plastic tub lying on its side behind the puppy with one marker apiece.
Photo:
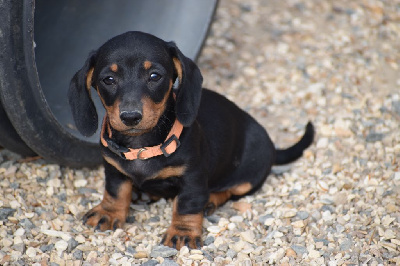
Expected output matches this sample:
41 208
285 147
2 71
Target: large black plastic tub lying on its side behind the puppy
44 42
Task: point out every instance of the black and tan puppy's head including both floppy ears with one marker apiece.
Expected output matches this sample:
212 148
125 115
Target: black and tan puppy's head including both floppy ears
133 74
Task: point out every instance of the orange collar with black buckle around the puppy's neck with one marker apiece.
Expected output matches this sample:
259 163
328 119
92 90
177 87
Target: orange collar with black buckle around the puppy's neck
169 146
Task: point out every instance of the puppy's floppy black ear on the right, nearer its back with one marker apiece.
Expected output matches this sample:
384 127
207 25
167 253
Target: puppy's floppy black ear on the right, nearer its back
188 94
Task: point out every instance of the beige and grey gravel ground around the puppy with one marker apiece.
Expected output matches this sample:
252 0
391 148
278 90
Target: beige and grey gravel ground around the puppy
285 62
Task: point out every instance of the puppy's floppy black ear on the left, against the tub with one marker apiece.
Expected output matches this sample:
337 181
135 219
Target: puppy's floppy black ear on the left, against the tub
79 97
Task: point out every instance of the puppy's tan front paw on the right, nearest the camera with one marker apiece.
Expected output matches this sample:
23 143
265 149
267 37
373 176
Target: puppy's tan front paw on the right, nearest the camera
179 237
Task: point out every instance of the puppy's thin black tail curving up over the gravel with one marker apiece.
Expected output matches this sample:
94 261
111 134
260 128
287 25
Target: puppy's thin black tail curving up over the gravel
296 151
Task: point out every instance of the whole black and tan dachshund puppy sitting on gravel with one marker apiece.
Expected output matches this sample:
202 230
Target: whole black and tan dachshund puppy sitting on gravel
185 143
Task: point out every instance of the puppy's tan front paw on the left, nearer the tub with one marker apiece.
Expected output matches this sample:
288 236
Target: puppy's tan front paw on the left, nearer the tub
103 219
